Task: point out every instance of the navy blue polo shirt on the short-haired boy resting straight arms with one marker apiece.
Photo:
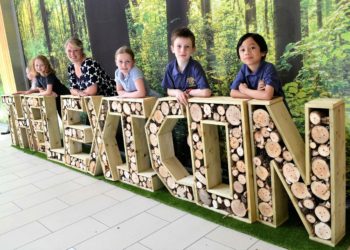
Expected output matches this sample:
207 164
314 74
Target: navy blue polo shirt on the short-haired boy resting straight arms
193 76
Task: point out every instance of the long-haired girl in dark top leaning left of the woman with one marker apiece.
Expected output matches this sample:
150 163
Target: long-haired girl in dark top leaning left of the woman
47 82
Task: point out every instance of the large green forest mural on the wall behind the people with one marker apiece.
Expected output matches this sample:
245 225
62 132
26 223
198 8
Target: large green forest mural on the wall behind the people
311 47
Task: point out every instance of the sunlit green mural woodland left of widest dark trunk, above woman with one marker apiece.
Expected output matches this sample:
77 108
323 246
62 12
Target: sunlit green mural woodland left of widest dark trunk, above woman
39 35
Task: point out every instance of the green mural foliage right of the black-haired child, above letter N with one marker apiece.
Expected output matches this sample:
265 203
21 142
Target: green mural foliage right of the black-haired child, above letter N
325 72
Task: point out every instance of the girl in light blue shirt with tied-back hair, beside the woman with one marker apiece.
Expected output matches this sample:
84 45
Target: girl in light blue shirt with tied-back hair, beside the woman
130 80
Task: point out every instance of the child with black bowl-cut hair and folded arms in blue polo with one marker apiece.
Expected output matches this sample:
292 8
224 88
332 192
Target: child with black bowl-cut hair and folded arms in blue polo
257 78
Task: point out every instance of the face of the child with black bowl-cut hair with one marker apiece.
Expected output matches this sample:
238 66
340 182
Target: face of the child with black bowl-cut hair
250 54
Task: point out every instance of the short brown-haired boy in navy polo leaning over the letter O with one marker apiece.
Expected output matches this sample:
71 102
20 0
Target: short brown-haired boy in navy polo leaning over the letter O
184 77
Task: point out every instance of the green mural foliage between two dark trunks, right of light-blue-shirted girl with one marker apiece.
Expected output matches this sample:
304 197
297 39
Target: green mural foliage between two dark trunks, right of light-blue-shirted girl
148 38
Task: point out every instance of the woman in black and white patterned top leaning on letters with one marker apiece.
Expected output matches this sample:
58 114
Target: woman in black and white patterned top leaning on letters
86 76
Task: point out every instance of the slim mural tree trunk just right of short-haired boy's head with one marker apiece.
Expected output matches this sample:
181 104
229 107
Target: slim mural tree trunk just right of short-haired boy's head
208 35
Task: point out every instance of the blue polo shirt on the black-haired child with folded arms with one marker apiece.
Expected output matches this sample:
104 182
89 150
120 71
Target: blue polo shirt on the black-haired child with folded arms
266 72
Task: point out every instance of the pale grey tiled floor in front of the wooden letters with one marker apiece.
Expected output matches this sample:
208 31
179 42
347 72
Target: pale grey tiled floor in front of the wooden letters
46 206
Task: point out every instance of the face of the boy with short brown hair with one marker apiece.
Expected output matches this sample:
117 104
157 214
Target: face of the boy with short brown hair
183 49
